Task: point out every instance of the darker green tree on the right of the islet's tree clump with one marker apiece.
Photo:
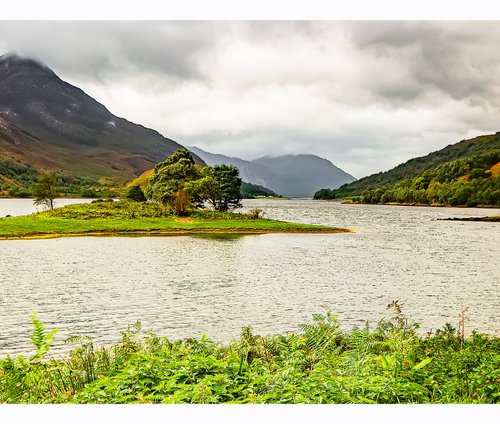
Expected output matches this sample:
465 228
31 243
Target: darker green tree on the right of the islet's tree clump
220 186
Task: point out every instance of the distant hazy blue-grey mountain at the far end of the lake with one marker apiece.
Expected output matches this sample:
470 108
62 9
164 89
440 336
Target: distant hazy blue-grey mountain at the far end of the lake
288 175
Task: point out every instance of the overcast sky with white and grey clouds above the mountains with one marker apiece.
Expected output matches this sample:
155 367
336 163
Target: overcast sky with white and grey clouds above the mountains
367 95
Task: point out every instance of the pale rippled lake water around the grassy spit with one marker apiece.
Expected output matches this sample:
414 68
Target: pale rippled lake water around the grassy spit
187 286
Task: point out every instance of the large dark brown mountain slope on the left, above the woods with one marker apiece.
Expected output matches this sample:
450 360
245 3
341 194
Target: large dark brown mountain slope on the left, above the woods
49 124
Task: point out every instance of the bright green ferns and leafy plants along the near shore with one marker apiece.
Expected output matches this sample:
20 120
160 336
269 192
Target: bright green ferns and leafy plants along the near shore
319 364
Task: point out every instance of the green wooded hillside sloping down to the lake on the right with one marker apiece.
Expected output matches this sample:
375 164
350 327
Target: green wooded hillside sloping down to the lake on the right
464 173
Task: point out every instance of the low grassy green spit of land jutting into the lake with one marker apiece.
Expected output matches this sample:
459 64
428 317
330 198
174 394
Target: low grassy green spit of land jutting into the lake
128 217
